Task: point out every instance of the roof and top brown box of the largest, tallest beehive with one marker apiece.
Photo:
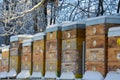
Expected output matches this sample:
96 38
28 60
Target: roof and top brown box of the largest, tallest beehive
100 25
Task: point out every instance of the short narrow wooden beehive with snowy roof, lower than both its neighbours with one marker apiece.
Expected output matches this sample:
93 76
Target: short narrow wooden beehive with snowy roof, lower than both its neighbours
27 55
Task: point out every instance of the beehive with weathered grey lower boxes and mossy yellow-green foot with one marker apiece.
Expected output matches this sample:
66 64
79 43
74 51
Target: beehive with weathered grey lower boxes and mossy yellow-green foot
73 35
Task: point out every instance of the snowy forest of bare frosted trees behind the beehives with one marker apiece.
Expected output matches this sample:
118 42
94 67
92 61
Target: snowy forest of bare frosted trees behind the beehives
32 16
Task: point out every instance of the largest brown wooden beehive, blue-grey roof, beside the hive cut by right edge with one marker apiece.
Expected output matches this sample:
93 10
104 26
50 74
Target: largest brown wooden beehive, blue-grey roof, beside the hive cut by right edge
96 41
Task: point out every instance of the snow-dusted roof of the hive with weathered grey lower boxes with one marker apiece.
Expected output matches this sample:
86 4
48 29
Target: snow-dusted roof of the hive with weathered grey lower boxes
71 25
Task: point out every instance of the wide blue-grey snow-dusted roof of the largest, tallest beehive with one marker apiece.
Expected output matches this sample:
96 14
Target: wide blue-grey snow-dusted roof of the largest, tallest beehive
103 19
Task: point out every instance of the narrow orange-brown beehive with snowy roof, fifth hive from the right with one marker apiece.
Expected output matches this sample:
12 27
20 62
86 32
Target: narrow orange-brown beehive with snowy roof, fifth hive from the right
39 53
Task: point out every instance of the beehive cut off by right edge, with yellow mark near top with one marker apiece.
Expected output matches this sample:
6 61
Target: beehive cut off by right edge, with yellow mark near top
114 49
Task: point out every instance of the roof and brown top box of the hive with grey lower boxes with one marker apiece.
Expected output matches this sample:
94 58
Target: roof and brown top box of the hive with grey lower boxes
73 30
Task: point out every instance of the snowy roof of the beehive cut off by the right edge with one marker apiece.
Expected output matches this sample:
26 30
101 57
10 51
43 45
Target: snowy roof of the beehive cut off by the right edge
114 31
